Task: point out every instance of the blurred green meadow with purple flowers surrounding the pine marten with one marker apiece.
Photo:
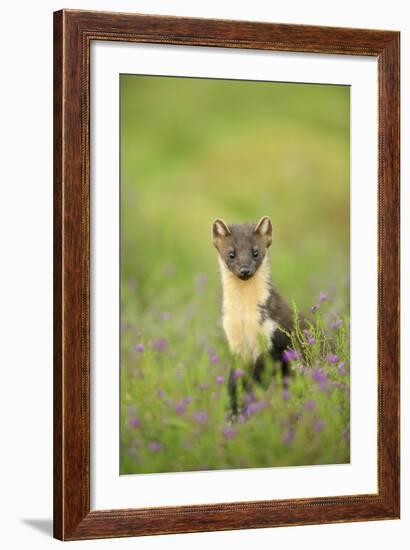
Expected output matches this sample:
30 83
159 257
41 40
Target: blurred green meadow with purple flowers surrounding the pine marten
193 150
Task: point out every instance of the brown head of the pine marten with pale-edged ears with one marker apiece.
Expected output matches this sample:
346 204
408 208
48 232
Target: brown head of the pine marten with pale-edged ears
242 247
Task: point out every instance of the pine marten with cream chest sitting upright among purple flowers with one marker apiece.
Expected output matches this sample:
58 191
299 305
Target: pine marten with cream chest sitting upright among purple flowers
253 311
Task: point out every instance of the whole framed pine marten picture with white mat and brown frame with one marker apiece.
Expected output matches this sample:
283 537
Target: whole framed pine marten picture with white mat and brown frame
226 275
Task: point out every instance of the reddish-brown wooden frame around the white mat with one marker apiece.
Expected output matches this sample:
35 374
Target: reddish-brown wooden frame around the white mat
73 33
